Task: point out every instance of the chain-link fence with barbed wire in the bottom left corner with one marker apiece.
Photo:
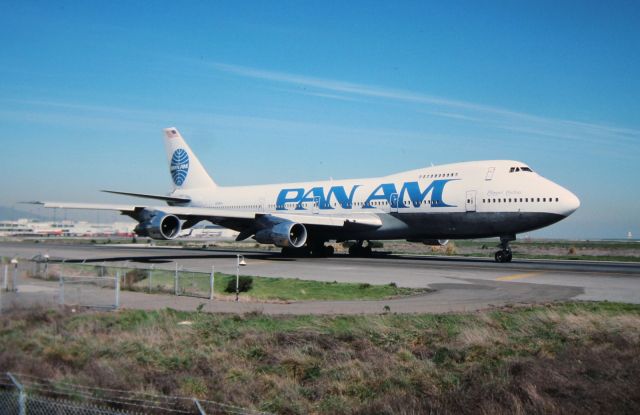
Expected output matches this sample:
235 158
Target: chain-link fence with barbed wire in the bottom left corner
29 395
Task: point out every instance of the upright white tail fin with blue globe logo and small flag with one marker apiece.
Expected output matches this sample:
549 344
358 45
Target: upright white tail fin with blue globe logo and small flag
185 168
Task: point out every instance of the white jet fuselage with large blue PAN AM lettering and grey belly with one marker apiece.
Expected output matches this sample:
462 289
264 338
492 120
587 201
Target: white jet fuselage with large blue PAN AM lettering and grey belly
471 199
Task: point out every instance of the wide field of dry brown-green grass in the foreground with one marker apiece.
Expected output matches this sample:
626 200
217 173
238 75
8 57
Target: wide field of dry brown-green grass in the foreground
563 358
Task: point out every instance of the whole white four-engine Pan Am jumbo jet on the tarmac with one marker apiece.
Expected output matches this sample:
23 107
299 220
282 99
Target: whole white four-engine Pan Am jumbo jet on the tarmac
477 199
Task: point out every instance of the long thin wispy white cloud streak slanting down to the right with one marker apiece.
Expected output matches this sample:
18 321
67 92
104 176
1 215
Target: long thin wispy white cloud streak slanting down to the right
442 107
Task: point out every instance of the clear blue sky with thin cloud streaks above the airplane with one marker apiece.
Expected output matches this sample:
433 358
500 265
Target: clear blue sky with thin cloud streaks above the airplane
287 91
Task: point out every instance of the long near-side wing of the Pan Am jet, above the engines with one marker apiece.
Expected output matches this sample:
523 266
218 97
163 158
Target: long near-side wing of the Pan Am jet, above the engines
241 219
